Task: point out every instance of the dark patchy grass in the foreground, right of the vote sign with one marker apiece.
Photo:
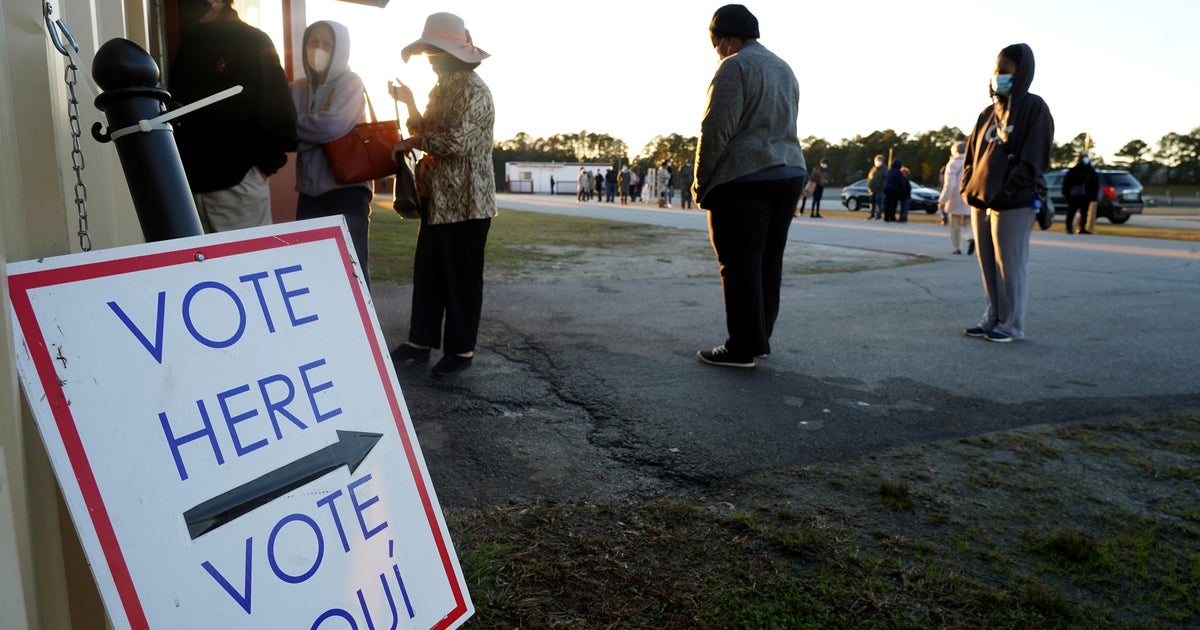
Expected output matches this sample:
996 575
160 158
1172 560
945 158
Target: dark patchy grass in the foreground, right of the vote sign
815 551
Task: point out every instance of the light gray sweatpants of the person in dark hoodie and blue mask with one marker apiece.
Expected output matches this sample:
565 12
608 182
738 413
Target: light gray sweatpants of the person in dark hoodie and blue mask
1003 247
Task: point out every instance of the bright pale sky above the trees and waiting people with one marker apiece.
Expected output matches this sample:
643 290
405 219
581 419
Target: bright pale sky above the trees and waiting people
635 70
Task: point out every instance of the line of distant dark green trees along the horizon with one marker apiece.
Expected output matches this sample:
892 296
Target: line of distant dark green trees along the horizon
1174 160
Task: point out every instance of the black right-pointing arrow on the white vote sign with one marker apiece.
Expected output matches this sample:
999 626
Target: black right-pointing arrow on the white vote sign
351 449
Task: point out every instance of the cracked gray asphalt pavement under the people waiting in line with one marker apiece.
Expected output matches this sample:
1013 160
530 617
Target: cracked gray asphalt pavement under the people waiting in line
592 392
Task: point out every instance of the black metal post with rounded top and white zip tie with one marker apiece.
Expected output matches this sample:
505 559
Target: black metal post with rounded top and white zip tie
151 159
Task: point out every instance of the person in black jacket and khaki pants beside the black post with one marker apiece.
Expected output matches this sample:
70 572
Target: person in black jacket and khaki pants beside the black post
230 148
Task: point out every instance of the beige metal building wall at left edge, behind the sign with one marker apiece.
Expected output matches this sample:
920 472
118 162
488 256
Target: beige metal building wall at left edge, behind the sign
45 583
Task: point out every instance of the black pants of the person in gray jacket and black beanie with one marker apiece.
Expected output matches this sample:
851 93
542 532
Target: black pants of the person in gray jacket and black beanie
748 224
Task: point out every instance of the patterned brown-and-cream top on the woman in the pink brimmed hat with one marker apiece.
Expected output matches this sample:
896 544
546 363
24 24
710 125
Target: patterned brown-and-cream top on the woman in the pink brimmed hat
457 130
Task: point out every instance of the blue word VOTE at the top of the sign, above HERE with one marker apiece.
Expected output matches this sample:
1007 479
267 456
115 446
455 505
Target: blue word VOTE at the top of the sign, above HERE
232 308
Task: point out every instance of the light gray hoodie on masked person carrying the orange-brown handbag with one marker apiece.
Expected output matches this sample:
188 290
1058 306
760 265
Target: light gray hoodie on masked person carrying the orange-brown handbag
326 113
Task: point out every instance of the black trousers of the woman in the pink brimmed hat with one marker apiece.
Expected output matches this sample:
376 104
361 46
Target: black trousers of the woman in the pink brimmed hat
448 285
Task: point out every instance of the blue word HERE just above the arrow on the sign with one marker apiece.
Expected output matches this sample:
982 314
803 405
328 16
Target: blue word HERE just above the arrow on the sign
239 409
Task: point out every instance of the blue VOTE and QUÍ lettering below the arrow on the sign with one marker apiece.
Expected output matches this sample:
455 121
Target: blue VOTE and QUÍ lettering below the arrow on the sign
315 550
